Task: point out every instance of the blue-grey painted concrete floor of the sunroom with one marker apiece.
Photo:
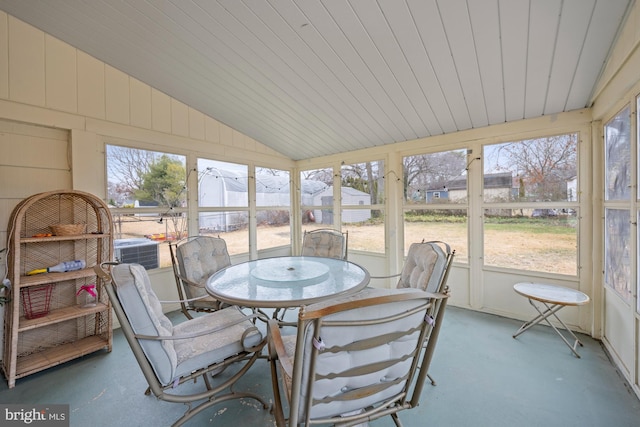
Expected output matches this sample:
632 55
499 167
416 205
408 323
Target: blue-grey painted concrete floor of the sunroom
484 378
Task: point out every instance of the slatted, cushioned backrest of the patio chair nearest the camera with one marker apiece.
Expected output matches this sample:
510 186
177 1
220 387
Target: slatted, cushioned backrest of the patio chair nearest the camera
371 345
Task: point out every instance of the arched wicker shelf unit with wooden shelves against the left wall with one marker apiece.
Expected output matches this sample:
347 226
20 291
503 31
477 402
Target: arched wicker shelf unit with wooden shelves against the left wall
63 329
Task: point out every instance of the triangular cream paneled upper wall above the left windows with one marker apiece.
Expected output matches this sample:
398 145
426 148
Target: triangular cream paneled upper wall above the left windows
39 70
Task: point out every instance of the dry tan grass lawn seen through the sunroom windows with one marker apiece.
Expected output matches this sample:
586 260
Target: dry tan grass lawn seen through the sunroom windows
540 244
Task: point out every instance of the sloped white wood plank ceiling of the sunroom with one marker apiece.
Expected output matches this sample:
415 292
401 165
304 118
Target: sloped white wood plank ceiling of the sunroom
317 77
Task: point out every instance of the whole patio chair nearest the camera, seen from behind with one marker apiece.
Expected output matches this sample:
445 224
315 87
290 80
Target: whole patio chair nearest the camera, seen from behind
355 359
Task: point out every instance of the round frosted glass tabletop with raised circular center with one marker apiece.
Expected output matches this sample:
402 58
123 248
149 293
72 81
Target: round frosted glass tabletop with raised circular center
286 281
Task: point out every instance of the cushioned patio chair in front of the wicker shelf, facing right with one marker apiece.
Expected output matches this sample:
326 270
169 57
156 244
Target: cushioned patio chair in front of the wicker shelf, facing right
170 355
